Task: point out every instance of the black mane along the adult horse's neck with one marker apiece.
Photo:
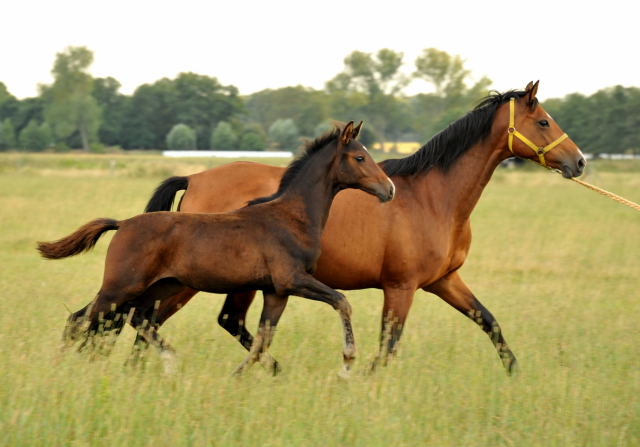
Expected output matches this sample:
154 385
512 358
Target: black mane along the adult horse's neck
447 146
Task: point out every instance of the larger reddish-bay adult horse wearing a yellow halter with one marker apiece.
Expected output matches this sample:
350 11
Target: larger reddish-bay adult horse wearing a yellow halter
417 242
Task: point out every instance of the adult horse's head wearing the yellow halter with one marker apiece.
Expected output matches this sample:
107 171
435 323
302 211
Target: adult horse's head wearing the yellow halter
533 134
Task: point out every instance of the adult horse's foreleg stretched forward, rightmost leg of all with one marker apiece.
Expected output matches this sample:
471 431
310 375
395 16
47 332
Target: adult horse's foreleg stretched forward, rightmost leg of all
454 291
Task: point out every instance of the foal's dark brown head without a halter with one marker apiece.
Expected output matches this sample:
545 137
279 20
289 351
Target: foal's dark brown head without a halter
353 166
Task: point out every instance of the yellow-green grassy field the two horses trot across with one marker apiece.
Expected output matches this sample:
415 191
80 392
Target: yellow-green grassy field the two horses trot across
557 264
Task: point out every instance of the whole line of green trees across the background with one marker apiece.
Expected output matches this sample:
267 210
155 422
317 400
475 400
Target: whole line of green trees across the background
196 111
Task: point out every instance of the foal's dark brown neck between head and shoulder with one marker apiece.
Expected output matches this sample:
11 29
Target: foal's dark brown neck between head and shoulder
311 192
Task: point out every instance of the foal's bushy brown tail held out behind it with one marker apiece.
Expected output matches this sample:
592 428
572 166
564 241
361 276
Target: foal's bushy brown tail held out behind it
83 239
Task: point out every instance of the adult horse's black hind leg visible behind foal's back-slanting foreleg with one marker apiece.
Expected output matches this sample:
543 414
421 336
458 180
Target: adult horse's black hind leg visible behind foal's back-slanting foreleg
232 318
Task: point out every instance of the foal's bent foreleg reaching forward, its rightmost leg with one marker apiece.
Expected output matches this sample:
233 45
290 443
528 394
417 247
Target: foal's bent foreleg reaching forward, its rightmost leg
309 287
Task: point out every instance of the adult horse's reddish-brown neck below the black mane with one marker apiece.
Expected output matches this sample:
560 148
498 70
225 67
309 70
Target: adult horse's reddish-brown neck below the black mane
464 182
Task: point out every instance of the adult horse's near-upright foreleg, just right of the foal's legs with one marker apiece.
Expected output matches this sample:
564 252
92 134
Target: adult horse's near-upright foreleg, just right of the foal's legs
397 302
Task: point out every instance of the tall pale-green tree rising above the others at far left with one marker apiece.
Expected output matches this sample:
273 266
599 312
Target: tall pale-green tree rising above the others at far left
70 108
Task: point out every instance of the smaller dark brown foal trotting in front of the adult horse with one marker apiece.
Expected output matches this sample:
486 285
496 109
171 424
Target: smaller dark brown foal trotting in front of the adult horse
271 245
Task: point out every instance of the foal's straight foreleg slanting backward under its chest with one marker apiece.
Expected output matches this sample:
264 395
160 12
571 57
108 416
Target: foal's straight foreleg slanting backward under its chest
272 310
